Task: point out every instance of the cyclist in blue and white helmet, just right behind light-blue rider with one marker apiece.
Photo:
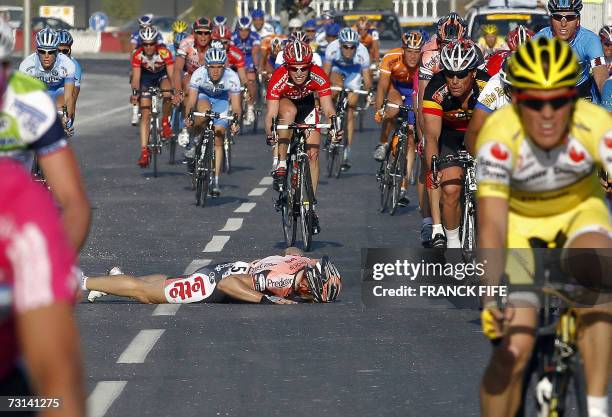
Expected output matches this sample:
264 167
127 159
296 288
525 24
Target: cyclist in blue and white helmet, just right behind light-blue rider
249 43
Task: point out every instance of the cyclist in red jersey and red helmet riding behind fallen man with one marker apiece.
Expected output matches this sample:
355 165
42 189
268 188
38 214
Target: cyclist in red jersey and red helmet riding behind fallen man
291 97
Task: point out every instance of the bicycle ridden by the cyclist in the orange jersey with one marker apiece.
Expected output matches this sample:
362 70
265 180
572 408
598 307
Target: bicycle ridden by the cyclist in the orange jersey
392 169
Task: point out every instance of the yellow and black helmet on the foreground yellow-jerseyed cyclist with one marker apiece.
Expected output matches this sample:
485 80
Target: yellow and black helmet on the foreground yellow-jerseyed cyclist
543 64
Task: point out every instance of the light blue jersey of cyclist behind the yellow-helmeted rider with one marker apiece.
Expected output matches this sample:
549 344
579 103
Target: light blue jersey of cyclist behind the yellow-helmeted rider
586 45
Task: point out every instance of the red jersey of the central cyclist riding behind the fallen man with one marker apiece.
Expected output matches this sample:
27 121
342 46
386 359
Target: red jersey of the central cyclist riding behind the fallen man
280 85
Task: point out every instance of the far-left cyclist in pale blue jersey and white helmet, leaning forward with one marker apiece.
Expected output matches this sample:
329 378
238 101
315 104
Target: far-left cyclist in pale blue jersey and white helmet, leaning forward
56 70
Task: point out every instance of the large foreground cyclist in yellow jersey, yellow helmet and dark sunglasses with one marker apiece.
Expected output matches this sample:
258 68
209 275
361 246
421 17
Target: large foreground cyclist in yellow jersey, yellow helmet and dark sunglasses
537 161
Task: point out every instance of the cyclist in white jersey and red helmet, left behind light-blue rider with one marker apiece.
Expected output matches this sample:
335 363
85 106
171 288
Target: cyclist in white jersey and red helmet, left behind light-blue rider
190 55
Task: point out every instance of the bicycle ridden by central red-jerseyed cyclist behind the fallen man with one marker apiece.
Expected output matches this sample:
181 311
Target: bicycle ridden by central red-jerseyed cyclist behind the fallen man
296 196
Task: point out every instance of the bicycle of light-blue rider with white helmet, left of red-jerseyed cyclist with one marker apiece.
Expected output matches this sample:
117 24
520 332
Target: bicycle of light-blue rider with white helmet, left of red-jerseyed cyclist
204 155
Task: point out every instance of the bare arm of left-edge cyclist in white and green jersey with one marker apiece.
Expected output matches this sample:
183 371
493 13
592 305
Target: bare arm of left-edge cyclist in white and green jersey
62 174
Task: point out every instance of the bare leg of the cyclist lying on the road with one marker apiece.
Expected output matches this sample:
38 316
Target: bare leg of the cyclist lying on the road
147 289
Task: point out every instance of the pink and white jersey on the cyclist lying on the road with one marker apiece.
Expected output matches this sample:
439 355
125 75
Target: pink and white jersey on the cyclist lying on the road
276 274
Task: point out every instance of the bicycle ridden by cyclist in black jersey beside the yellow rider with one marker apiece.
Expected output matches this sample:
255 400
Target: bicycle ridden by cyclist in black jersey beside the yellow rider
468 197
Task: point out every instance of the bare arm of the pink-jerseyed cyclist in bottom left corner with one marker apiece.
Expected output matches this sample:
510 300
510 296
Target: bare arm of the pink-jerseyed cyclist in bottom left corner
49 340
